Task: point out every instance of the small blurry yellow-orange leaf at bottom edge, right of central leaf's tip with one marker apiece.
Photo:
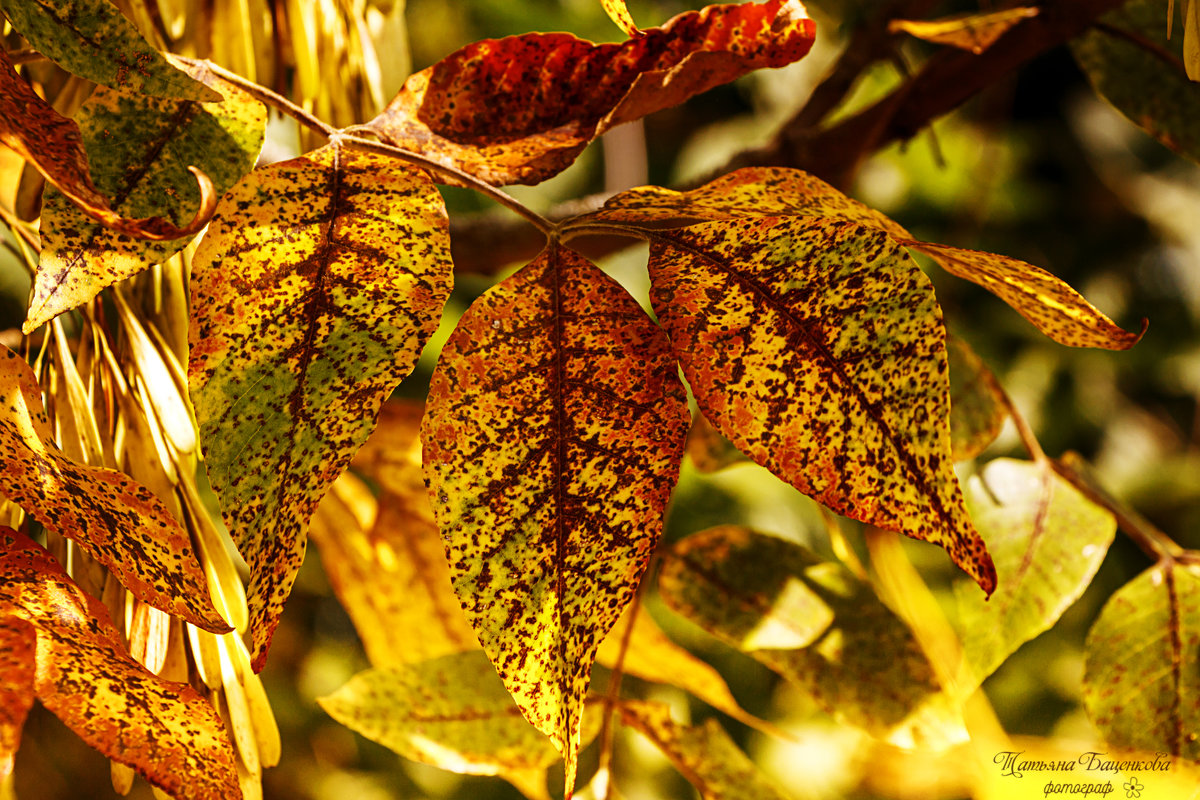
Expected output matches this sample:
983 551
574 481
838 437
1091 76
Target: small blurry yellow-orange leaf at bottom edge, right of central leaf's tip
705 755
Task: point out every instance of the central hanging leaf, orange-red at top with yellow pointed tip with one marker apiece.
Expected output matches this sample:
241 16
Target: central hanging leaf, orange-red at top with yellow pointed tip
553 440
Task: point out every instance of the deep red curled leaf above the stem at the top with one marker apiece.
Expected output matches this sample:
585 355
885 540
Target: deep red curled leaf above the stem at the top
520 110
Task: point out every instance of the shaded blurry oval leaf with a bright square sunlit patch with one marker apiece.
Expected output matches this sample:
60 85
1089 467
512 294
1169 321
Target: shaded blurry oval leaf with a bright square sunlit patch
811 621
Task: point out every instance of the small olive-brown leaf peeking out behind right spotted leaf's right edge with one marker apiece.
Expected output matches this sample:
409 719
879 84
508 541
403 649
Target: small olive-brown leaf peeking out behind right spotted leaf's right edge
977 402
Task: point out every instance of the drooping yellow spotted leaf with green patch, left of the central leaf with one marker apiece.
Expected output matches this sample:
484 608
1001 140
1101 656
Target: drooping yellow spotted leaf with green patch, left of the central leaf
313 296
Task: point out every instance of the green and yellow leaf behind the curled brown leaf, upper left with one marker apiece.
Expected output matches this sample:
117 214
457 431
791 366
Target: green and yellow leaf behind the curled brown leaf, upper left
141 149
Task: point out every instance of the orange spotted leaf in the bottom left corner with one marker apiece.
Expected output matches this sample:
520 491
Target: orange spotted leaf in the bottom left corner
165 731
